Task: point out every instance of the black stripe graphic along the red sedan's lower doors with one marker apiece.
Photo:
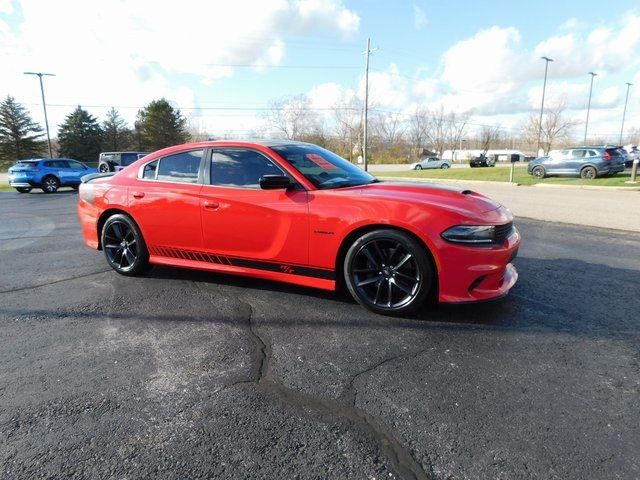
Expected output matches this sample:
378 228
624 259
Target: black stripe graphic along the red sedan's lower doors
244 262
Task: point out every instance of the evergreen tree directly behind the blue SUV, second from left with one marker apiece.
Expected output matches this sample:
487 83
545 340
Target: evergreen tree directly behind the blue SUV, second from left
80 136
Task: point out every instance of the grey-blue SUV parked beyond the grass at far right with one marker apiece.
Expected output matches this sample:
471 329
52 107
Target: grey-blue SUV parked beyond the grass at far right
584 162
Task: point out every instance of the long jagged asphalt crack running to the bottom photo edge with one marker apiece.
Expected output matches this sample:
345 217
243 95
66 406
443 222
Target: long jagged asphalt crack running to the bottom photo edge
397 454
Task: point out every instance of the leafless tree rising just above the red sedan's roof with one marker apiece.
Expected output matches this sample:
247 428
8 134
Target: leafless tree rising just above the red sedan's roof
293 117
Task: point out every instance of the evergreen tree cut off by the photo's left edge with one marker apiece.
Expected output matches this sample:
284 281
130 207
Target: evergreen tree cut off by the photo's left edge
20 136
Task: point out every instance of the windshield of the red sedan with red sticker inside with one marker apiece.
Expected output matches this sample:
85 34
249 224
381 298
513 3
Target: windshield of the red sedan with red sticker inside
323 168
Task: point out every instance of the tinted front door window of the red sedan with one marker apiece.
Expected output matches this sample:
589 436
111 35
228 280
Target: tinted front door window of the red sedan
240 168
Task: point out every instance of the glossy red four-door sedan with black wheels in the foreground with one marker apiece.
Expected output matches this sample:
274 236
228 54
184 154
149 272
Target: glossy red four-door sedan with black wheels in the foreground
295 212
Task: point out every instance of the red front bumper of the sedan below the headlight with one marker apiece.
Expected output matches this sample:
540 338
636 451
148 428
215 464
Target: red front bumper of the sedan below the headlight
475 274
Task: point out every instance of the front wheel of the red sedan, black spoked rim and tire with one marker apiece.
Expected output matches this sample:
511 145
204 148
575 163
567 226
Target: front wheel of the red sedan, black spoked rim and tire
388 272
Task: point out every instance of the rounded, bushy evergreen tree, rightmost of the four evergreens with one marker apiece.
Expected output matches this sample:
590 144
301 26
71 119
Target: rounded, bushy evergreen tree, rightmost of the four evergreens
160 125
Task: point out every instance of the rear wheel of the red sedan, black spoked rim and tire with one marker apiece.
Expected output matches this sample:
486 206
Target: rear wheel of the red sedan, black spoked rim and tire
123 246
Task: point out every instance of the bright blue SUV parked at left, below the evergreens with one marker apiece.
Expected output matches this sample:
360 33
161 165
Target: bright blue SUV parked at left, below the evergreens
49 174
